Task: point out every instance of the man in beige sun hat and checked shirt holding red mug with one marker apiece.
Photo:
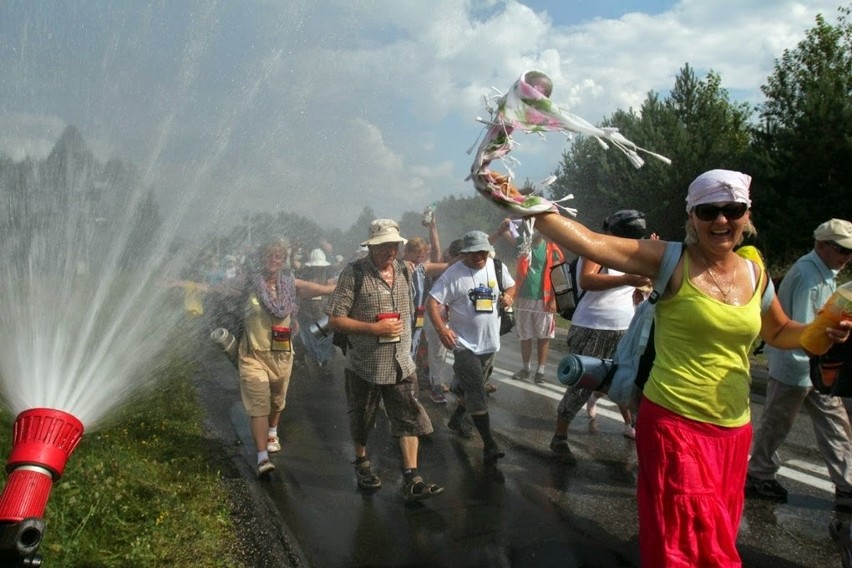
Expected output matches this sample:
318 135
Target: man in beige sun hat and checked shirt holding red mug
373 305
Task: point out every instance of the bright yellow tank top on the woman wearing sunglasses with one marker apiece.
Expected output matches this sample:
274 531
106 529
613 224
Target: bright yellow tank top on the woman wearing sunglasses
701 370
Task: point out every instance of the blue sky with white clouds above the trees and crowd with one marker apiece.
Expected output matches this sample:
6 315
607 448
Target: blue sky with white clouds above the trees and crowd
324 107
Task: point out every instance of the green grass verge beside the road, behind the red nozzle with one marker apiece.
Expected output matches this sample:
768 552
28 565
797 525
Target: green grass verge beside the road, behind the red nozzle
144 492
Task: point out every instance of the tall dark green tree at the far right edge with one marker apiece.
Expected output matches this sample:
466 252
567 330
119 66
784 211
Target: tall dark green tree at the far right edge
803 146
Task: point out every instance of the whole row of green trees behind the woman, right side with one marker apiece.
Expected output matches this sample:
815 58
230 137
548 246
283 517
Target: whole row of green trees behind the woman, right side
797 146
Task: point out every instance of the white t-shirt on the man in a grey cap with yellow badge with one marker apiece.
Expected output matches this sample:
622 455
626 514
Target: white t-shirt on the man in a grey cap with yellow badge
477 331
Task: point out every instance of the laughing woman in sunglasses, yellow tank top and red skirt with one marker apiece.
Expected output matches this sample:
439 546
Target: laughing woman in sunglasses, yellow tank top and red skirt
694 427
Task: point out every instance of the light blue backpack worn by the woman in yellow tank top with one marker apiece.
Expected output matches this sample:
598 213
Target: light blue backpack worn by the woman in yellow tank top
635 353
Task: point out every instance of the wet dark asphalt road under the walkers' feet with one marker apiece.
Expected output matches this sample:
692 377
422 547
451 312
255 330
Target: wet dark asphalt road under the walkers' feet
528 511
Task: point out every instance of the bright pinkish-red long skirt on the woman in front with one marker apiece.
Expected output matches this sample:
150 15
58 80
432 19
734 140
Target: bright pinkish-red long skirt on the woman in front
690 490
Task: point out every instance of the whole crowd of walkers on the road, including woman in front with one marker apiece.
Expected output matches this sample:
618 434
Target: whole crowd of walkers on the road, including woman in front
693 426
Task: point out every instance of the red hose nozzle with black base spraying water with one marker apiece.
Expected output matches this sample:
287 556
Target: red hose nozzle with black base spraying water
42 441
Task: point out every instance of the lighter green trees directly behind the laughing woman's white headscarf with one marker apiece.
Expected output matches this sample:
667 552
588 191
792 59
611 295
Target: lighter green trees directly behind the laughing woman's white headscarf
696 126
